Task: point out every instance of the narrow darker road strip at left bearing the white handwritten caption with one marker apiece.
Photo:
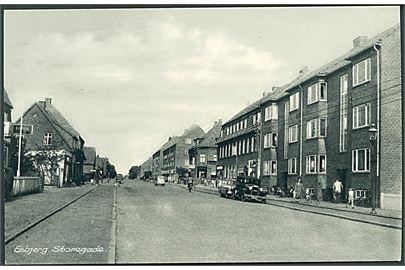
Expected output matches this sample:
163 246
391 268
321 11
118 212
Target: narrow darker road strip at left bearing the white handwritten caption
79 234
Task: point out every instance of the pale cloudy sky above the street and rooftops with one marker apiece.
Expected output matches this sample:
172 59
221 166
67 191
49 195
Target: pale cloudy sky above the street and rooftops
127 79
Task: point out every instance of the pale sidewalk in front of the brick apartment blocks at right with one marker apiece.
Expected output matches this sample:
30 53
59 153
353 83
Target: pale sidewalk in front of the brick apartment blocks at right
384 217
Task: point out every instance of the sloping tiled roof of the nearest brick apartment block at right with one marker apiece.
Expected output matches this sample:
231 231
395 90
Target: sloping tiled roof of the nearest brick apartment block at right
342 61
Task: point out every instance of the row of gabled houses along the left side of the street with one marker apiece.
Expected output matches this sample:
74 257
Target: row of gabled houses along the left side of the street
47 133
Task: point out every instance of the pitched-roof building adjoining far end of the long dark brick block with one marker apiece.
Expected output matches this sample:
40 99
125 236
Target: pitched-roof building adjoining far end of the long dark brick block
203 154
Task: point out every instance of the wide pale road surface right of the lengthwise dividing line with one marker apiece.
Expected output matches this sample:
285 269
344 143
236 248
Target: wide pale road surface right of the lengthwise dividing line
170 225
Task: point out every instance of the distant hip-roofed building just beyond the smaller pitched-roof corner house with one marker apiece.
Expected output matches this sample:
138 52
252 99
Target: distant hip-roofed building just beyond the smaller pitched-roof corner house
175 152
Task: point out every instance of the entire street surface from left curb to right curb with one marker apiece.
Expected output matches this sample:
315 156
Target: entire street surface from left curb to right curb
170 225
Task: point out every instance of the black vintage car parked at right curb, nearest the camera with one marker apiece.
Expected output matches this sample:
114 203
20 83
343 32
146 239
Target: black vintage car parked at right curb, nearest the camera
249 188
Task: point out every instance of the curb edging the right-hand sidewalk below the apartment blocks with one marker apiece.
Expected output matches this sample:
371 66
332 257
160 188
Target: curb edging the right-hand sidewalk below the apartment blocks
320 213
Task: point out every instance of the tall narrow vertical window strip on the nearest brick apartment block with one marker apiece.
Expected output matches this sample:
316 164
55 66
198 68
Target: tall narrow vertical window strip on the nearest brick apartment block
343 113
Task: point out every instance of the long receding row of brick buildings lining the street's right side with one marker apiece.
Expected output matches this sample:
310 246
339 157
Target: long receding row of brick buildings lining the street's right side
342 120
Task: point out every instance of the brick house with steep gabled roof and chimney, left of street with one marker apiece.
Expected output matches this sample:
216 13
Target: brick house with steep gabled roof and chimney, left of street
52 133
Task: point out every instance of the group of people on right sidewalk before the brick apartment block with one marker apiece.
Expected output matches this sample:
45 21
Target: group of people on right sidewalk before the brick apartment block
299 192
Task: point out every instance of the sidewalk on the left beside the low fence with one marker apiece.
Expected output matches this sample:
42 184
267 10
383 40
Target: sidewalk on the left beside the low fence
23 211
